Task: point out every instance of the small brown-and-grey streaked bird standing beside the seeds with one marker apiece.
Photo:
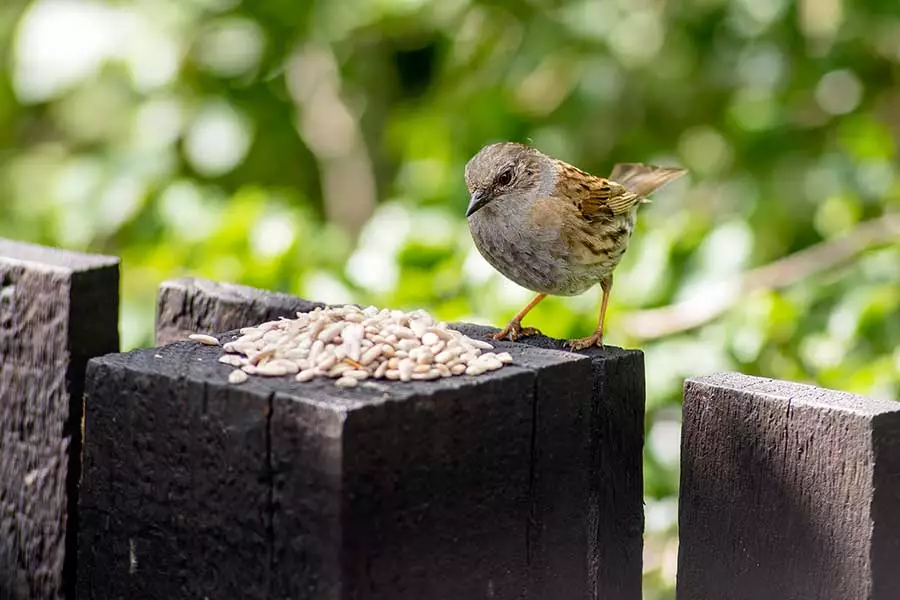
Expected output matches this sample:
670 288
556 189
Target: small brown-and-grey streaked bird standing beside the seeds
552 228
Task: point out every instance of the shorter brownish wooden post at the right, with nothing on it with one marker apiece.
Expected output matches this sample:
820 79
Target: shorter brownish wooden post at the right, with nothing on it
787 491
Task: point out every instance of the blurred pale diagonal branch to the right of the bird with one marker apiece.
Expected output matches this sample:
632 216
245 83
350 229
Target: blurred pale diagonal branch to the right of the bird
707 306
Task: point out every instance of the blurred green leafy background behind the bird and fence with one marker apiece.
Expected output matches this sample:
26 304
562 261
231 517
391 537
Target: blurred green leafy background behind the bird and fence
317 147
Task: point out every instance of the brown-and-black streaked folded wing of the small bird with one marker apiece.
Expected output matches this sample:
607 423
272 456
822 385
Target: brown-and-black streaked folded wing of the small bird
596 198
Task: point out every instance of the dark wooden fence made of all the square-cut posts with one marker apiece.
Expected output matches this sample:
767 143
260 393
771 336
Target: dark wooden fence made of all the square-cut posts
520 483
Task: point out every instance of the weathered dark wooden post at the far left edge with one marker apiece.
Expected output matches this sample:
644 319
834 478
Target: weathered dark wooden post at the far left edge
57 310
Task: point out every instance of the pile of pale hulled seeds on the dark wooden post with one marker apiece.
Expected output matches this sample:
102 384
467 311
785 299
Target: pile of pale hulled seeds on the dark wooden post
351 344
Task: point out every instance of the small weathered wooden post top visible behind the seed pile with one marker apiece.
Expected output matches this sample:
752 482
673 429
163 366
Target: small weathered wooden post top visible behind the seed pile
190 305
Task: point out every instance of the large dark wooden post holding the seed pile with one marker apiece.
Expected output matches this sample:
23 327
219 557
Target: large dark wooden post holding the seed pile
523 483
